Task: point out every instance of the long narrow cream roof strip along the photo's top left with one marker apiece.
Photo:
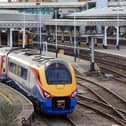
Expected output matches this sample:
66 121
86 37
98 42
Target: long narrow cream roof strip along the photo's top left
42 4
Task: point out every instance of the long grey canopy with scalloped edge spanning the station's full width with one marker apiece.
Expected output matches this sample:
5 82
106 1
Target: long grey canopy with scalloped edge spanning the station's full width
10 19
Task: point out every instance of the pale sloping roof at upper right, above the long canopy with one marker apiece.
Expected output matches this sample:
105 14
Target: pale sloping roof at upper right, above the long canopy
107 12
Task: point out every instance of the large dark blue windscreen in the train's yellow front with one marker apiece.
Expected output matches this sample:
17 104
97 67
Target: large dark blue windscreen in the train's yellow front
58 74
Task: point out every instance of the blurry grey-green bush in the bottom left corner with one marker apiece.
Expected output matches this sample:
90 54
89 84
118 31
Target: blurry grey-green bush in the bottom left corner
7 114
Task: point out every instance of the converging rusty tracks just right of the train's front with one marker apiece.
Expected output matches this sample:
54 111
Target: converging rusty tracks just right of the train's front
112 105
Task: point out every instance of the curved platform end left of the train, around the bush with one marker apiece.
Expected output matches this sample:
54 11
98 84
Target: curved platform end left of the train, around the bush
22 105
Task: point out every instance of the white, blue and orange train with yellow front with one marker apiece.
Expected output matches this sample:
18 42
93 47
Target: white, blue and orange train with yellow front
50 82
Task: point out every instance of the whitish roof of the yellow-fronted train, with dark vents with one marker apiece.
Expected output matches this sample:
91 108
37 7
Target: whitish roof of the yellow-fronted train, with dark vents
27 56
